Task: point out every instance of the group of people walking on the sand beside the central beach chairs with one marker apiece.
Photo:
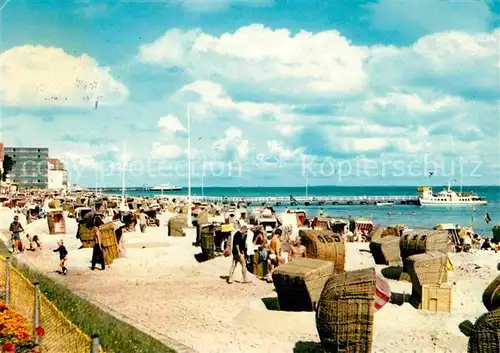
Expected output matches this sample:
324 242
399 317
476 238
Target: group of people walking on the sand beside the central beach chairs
246 243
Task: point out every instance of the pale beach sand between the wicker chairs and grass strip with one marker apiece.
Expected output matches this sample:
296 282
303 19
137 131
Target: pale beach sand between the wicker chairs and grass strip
162 289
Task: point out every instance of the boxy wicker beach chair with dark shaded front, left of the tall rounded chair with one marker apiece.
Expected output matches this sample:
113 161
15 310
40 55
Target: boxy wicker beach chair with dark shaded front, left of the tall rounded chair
299 283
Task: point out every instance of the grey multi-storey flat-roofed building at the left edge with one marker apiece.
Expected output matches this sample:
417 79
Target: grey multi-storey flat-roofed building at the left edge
31 167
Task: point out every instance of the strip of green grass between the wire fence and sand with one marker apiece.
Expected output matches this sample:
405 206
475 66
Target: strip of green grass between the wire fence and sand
115 336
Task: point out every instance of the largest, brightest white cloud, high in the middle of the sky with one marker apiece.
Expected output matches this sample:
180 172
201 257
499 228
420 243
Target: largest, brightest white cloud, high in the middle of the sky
277 61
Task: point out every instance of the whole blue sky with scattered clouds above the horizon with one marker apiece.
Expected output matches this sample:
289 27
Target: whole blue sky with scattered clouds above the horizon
277 93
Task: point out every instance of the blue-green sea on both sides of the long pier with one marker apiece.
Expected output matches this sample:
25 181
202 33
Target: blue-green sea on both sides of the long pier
411 215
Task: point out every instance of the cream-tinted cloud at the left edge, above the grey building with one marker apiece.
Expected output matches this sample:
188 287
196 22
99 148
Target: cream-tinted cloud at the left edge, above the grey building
47 76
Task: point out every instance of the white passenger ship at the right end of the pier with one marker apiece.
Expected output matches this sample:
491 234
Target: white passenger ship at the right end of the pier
448 197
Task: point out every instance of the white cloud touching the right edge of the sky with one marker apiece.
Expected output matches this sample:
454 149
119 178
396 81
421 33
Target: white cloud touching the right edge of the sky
456 62
